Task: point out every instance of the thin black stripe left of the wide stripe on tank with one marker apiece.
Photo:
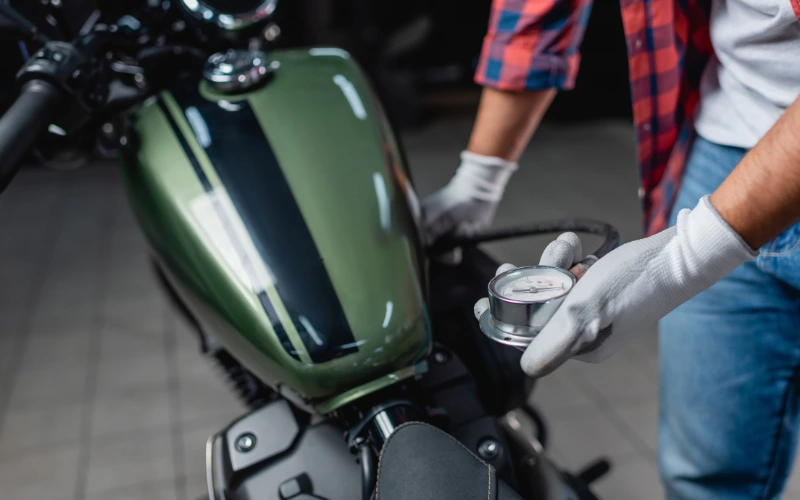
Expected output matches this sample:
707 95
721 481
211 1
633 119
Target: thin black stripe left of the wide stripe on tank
272 315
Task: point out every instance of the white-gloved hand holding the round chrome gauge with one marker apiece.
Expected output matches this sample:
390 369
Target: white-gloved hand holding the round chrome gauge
634 285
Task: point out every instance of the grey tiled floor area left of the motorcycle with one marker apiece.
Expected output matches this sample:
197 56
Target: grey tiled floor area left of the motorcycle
102 392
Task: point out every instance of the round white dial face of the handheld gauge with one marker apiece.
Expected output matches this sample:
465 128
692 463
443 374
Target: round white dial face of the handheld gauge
532 284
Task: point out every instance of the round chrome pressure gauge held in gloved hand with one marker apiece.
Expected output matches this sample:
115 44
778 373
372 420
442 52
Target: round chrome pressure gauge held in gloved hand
522 301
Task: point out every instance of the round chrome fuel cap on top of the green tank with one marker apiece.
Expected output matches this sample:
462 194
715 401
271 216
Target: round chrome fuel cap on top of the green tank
237 71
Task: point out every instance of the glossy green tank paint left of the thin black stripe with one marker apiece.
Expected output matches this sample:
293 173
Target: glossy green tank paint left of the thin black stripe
161 186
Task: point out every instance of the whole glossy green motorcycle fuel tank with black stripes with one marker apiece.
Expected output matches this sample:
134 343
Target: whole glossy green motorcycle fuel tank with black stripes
285 219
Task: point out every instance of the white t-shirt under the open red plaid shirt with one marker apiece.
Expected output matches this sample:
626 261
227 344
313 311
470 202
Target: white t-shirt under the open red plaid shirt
755 75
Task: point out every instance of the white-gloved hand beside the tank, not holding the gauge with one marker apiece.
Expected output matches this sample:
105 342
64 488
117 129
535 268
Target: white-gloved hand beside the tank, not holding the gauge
468 202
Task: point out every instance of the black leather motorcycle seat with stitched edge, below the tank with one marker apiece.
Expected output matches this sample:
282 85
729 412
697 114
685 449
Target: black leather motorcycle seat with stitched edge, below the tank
421 462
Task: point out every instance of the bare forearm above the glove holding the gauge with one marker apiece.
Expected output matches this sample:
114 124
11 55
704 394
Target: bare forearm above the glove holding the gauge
761 197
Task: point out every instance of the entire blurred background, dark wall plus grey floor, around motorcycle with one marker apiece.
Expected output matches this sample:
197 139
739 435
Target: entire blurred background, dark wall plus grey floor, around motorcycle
102 392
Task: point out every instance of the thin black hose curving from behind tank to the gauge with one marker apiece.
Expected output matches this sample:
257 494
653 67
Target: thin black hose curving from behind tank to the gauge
609 232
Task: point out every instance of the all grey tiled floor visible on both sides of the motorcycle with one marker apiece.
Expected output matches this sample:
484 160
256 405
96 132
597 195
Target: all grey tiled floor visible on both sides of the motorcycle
103 394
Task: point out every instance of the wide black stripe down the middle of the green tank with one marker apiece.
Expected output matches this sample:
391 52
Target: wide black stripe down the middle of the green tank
246 164
